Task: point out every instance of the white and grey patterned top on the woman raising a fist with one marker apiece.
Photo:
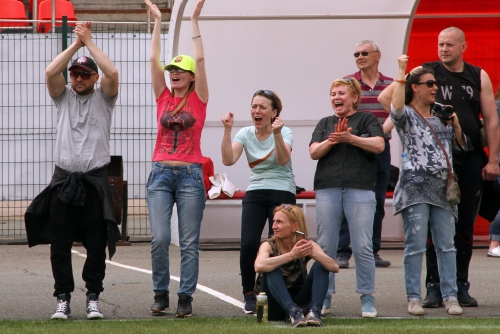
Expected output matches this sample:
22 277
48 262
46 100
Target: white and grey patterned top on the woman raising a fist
425 180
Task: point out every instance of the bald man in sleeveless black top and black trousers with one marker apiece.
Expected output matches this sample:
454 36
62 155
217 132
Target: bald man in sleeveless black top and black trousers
469 90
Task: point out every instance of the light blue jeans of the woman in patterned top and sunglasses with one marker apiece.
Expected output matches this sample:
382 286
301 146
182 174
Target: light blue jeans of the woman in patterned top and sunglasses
416 221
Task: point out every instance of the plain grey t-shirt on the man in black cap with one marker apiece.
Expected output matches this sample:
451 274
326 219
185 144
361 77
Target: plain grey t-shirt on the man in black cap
83 130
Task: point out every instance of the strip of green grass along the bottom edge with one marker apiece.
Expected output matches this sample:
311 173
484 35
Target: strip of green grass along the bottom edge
248 325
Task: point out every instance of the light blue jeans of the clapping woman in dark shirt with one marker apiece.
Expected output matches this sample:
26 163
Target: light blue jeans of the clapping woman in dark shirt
358 207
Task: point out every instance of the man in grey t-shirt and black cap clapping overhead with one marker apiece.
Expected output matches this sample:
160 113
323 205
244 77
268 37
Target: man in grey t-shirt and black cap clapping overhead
77 203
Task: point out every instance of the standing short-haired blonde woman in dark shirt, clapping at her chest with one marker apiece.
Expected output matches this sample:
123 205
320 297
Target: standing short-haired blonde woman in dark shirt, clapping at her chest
345 145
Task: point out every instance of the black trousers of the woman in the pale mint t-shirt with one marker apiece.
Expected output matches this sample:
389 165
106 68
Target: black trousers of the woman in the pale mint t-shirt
257 208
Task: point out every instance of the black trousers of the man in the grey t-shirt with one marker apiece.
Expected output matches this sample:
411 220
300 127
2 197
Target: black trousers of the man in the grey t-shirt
85 223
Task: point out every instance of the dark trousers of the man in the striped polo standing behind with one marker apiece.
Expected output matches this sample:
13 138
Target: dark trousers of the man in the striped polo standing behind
383 174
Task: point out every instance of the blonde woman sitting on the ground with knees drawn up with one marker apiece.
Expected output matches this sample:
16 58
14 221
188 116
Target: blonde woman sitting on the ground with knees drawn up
281 264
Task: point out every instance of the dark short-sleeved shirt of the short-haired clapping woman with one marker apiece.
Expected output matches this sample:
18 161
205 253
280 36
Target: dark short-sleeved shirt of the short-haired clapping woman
346 165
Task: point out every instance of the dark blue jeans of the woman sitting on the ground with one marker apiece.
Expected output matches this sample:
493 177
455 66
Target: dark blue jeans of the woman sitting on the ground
280 299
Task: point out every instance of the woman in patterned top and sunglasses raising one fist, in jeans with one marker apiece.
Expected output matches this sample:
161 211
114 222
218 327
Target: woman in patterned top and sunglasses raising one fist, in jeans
420 195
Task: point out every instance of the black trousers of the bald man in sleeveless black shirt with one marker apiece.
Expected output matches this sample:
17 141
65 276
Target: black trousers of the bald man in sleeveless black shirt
470 182
